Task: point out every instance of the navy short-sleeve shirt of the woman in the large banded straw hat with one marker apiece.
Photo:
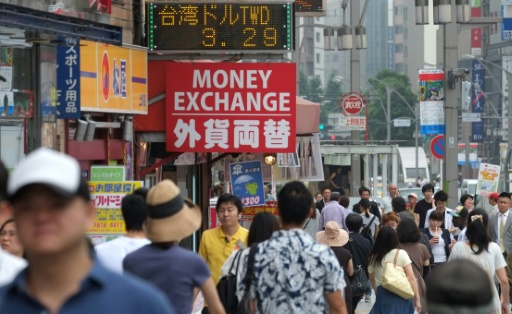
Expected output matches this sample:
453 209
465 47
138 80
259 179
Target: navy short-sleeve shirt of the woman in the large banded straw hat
176 271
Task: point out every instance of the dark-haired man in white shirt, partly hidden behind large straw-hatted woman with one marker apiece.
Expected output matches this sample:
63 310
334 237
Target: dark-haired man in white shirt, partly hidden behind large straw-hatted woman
112 253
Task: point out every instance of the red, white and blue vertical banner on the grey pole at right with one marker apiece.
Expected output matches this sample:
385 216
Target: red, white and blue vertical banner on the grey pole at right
431 84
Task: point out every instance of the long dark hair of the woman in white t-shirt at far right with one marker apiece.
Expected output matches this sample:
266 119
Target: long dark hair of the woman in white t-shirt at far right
476 231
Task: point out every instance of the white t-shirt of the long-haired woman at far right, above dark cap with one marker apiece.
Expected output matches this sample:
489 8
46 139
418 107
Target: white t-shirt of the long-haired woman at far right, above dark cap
490 261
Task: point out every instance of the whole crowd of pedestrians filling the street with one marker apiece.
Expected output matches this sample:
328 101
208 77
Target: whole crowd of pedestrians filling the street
320 255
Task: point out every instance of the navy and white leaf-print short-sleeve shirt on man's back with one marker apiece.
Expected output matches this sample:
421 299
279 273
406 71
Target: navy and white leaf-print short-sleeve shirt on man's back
292 274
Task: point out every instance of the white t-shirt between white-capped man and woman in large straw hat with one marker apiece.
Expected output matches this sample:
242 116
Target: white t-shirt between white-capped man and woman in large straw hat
112 253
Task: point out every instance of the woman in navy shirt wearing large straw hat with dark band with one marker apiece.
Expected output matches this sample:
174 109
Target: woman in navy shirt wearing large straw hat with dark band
173 269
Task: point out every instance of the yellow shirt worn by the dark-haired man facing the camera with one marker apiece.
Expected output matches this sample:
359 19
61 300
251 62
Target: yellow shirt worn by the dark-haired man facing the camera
215 249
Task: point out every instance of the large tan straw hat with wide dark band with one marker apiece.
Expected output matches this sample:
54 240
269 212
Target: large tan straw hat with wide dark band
170 218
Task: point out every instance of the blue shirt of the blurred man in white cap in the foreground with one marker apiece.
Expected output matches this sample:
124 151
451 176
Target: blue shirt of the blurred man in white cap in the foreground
101 292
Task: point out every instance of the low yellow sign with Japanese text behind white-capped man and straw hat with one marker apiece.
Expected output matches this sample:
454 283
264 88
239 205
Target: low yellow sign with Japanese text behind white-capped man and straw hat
107 200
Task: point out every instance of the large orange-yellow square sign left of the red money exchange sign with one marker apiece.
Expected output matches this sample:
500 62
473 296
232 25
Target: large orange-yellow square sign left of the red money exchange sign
113 78
